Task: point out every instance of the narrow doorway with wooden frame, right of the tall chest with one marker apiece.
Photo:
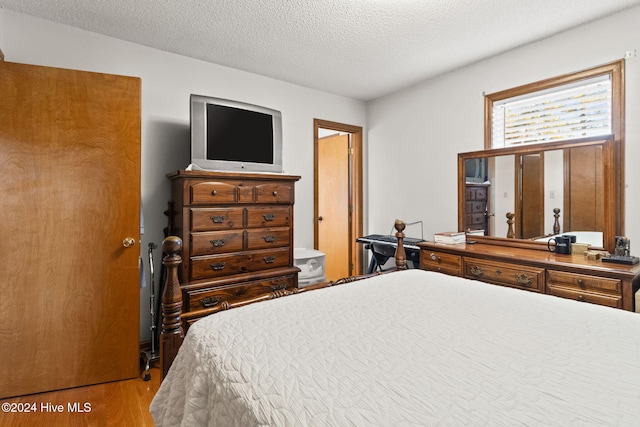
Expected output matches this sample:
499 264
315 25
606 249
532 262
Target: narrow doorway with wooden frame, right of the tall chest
338 196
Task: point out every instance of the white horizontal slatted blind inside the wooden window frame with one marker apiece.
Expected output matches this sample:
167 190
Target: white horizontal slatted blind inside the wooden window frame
577 110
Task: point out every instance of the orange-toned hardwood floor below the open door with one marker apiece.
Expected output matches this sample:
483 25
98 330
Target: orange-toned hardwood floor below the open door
121 403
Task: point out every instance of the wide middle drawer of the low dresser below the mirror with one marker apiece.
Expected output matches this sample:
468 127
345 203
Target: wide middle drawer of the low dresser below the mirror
513 275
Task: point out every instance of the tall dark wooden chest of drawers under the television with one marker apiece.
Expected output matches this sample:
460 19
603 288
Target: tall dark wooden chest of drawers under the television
237 233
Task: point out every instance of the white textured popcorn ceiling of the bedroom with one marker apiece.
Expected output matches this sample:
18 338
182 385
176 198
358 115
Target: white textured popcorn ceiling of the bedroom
356 48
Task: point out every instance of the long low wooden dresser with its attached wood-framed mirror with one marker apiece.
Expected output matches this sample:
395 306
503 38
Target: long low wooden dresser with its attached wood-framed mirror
515 199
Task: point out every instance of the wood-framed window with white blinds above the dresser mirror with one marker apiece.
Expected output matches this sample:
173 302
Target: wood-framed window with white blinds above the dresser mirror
580 105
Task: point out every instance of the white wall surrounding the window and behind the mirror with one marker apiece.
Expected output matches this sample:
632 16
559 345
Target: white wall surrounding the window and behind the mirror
422 128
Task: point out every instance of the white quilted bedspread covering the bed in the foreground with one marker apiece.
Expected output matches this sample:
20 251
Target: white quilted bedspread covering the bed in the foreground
408 348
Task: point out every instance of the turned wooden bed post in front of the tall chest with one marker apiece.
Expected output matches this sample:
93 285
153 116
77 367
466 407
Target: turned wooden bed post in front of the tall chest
171 334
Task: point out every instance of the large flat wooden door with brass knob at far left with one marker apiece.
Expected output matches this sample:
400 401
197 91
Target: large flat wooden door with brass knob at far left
70 162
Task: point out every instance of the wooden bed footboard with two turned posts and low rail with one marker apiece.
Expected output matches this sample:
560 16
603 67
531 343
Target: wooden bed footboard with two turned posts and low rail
174 321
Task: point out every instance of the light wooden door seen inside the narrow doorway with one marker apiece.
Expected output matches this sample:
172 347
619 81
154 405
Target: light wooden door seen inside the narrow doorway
334 238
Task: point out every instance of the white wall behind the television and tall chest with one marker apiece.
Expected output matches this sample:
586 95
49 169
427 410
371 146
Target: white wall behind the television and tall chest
167 81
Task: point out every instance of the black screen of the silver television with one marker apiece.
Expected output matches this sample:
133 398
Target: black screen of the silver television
239 135
